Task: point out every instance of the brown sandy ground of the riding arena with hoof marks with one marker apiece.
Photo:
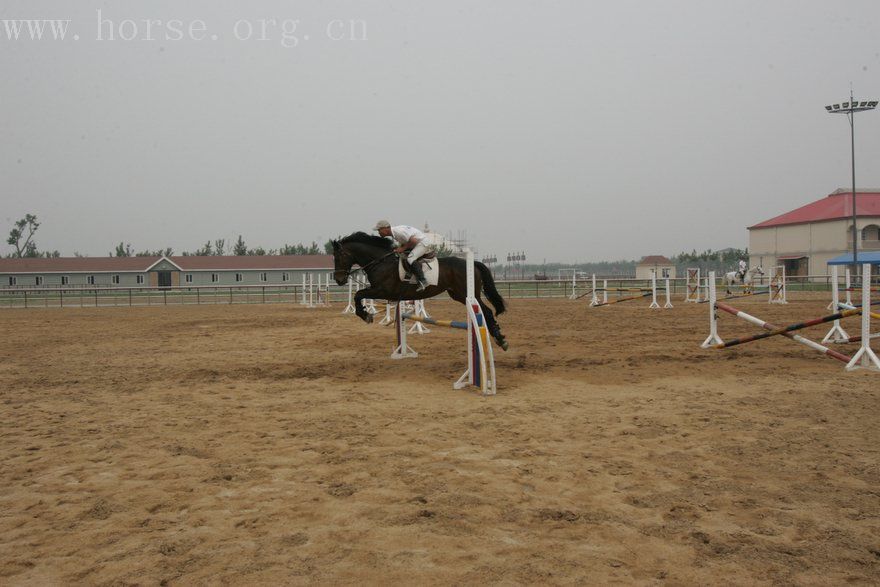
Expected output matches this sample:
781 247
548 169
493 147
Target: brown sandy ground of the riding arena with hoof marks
268 444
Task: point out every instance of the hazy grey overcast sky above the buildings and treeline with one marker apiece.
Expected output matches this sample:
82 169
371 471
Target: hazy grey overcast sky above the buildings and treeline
571 130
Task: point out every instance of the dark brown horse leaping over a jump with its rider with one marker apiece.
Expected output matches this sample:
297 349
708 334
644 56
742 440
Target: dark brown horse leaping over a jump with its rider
375 256
